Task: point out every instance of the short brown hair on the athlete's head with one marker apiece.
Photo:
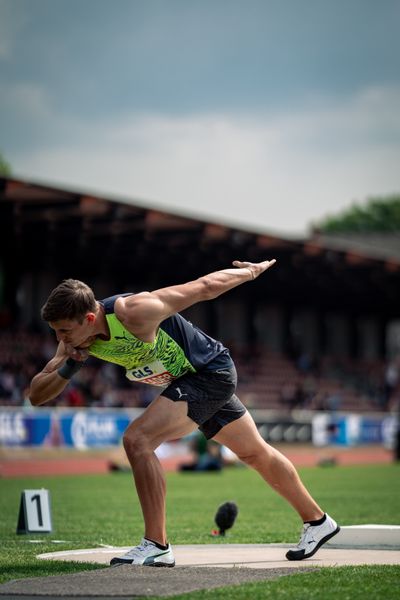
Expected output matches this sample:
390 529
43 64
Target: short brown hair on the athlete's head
71 299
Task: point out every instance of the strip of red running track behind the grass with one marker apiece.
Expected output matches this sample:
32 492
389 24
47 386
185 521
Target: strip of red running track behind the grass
81 464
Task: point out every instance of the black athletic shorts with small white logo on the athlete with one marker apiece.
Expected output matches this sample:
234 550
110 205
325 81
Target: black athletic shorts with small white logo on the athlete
210 395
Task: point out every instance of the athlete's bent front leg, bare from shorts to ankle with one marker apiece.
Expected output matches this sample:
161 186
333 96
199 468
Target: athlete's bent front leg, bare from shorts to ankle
163 420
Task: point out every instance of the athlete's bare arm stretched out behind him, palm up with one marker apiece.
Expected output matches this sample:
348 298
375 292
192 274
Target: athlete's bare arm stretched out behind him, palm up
143 311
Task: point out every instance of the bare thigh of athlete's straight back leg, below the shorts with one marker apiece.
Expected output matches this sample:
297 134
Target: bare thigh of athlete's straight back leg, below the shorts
241 436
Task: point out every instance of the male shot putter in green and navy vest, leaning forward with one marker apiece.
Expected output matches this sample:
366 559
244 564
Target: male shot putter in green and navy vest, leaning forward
145 334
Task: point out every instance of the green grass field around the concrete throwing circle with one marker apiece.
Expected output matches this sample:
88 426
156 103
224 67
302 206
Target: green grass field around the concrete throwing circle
103 509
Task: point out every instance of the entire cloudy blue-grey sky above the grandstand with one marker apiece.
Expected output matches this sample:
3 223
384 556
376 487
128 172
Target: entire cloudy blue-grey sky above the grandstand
265 114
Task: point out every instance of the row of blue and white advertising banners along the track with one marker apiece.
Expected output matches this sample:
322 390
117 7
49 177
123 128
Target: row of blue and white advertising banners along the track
96 428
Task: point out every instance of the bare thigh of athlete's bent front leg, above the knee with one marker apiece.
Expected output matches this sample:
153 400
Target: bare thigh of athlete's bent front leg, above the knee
163 420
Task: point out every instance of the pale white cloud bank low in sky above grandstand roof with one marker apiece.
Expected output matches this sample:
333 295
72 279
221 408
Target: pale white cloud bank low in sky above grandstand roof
270 171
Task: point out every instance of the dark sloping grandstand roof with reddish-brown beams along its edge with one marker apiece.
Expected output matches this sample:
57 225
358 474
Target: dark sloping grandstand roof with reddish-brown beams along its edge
76 234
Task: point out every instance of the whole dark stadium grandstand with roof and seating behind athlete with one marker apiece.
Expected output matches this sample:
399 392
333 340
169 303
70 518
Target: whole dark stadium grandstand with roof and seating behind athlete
318 332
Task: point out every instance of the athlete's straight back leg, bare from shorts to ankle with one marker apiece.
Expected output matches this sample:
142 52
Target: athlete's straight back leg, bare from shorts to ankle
242 437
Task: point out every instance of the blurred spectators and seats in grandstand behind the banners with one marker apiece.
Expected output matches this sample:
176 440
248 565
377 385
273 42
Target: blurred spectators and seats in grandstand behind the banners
266 381
